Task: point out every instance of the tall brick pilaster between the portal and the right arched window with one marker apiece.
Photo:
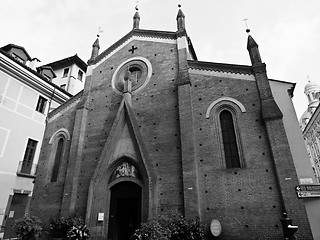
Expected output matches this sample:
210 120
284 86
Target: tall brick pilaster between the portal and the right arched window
189 166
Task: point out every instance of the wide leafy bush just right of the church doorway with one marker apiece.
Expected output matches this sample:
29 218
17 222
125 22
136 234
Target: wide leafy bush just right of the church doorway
164 228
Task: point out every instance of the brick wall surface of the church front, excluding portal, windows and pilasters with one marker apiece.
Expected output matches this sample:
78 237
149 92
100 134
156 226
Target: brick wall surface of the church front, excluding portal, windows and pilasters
246 201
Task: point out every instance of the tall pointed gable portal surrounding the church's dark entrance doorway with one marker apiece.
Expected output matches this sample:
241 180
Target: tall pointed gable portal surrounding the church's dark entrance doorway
121 188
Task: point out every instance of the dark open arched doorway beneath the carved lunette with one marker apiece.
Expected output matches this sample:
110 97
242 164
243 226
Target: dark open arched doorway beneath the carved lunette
125 210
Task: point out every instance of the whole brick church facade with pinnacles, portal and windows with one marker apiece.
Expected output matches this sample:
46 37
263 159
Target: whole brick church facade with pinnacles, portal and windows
157 132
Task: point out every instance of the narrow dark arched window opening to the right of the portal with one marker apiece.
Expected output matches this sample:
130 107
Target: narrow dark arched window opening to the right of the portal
229 139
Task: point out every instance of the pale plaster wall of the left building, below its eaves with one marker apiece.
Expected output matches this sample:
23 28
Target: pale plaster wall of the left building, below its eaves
19 121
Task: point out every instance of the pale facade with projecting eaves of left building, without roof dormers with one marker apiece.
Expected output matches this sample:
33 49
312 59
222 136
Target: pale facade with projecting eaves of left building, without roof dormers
21 119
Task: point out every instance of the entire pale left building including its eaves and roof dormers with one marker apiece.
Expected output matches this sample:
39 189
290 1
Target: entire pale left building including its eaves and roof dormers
25 98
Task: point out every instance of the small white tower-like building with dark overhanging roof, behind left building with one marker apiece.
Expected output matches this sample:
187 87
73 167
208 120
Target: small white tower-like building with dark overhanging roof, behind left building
70 73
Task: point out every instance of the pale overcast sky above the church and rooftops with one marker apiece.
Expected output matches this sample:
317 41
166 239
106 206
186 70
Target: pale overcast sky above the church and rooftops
287 31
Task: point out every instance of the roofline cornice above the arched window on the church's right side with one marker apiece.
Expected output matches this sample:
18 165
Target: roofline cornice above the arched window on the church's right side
220 67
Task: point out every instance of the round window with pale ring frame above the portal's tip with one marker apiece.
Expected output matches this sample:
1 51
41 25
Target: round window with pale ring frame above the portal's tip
137 70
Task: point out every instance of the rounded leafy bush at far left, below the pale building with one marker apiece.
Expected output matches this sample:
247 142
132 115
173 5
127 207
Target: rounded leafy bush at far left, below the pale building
28 228
